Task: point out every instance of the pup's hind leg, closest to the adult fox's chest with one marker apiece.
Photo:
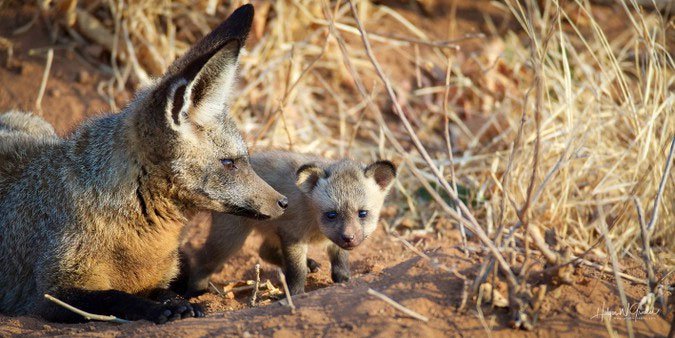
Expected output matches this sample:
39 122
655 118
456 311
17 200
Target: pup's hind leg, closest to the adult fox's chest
226 237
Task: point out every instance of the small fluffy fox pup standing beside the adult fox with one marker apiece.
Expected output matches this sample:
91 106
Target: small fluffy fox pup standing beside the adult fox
314 186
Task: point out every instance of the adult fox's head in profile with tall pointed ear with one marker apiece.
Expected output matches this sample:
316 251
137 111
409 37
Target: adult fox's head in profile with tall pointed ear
190 134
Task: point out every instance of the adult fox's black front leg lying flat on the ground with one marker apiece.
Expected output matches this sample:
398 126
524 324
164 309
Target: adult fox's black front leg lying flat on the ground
108 302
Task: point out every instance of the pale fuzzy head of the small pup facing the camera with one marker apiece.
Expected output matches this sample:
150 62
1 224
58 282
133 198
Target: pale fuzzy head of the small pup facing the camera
348 196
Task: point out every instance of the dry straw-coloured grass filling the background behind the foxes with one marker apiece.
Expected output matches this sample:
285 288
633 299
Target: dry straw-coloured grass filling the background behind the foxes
552 125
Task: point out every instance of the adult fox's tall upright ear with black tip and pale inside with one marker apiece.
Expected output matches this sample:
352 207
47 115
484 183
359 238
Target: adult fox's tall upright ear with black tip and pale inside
198 85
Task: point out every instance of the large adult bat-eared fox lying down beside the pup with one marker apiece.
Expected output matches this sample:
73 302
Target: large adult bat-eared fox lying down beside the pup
95 219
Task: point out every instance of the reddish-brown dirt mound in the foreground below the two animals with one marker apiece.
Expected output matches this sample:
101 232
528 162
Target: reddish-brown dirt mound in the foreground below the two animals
385 265
